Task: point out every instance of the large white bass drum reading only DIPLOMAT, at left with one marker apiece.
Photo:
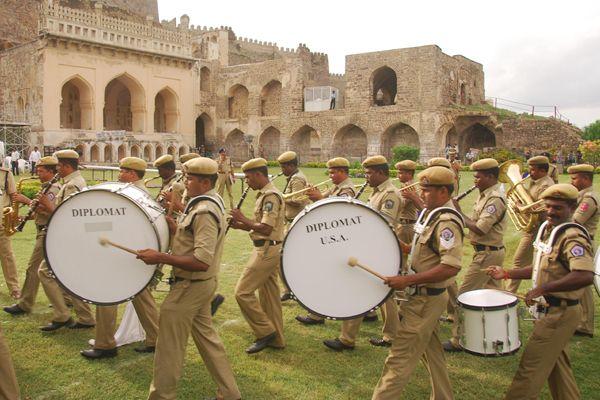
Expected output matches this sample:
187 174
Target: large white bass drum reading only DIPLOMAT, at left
121 212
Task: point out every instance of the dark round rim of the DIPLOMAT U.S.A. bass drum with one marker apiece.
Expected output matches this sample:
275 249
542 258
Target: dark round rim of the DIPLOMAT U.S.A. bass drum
340 200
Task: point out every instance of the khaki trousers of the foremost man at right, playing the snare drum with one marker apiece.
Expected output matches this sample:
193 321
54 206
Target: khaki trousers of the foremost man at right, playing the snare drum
546 358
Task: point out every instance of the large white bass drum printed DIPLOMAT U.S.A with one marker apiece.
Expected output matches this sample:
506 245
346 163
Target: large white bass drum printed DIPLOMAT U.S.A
314 259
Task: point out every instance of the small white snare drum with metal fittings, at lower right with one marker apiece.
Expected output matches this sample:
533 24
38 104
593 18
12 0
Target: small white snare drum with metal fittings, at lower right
489 322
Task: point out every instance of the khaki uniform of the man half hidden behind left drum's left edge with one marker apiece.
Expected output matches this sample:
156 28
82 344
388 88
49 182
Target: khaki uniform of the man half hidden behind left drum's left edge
72 183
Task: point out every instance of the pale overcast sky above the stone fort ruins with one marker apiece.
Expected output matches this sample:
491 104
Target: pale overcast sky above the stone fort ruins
534 52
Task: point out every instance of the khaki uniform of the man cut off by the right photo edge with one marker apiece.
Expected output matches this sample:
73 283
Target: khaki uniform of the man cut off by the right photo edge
587 215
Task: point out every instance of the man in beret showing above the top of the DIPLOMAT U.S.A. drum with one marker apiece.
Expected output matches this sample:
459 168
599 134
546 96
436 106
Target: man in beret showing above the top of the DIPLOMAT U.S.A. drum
343 187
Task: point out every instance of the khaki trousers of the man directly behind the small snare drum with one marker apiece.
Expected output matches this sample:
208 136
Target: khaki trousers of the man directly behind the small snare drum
475 279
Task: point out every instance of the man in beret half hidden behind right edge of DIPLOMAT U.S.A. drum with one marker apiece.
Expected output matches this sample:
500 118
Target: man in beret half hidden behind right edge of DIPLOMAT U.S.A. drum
385 200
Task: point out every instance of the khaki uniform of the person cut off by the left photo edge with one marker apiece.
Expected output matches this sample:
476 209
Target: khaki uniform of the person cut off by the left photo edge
7 258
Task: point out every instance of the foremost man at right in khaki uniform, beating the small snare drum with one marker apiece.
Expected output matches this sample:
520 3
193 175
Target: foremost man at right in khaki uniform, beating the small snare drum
563 274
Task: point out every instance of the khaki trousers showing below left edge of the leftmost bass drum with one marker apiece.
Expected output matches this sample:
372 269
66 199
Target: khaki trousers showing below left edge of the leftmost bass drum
56 297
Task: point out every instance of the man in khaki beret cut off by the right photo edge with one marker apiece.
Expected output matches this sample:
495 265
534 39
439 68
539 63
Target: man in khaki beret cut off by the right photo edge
582 177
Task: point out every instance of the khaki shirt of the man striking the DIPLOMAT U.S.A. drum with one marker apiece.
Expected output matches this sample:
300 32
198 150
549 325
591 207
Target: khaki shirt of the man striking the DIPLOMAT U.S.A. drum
440 243
